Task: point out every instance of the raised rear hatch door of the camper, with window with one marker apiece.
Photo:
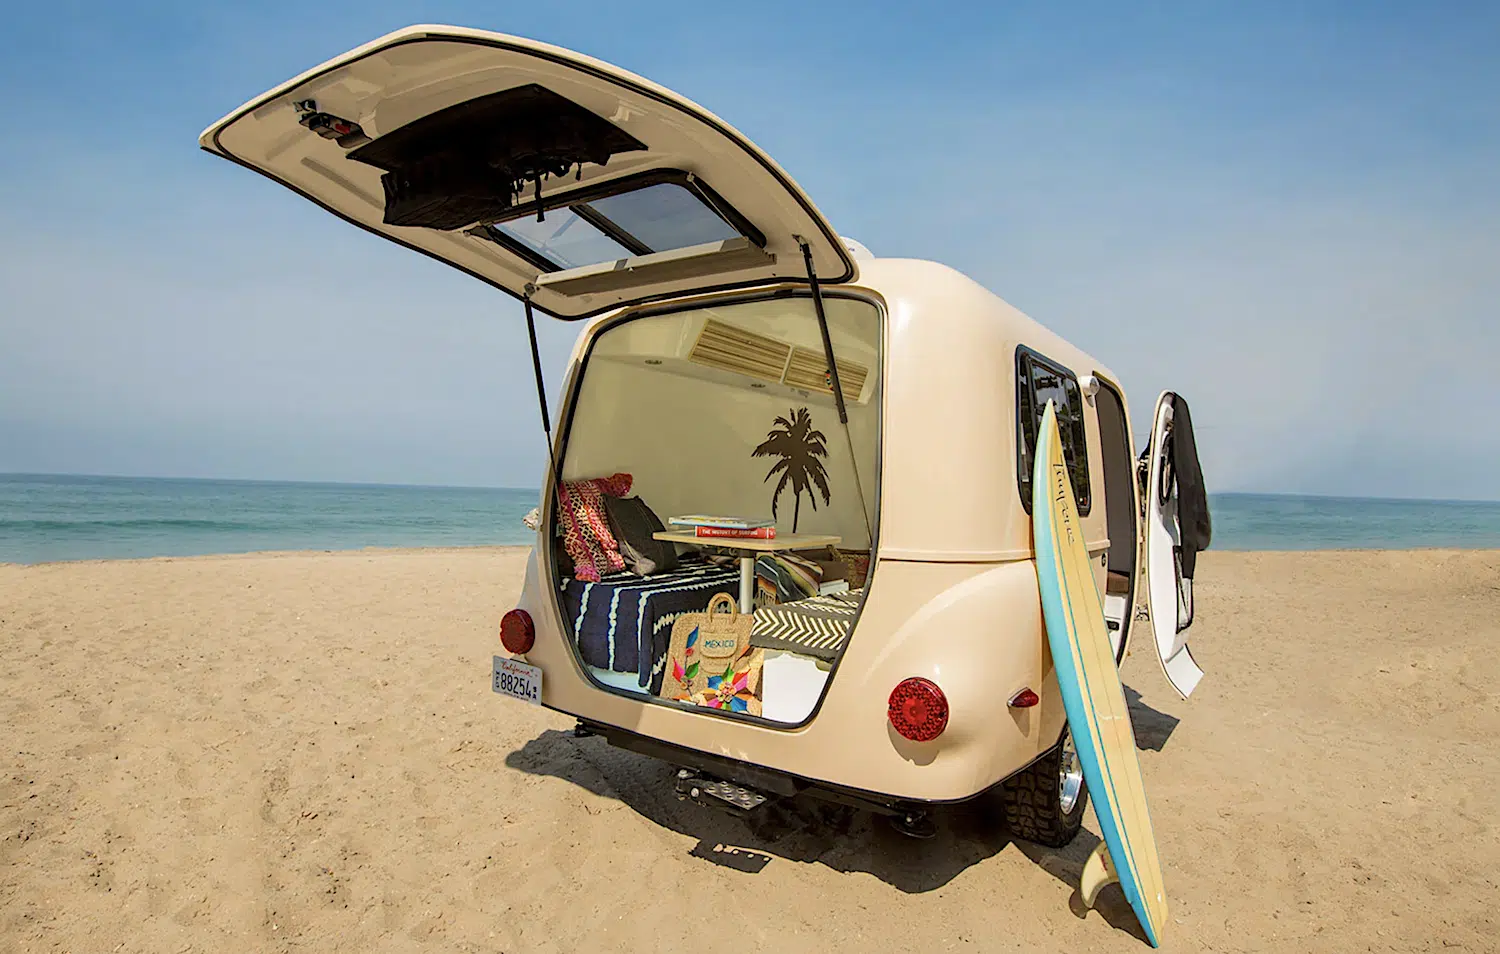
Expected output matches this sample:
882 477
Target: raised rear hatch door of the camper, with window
535 169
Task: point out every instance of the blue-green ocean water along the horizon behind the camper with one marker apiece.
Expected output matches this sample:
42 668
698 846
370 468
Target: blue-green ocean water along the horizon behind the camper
95 518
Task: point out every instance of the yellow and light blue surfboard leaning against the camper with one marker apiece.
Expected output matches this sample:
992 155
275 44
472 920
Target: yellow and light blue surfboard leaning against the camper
1093 694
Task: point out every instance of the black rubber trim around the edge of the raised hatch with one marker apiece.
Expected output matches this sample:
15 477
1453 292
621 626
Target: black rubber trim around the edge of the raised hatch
818 220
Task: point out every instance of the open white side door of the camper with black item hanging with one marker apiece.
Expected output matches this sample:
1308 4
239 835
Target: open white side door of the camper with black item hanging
1177 527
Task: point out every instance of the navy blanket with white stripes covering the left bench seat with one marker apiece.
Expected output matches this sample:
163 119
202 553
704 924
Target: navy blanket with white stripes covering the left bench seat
625 622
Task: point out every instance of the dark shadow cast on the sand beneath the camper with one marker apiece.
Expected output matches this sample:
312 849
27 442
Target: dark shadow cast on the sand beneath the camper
811 832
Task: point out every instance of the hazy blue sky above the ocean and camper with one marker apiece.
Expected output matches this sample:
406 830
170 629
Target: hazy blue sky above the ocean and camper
1289 214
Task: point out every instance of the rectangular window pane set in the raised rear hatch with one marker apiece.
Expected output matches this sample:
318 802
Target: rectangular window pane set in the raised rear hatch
659 218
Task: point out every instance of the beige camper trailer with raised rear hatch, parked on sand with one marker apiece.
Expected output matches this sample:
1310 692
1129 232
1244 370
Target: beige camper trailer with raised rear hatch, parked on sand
740 358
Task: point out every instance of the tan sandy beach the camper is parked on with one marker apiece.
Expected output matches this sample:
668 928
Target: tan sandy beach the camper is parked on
301 752
